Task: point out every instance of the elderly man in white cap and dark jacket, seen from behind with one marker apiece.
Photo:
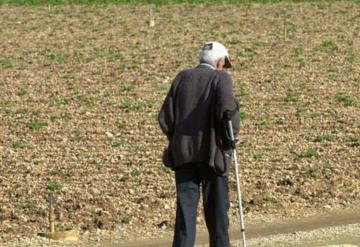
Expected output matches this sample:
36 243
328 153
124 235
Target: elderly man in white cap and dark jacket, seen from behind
192 118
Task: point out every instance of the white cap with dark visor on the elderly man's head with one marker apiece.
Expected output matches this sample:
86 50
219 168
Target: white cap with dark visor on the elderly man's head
212 51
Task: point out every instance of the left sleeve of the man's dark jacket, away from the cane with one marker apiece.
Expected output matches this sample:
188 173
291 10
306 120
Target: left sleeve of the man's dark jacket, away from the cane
166 117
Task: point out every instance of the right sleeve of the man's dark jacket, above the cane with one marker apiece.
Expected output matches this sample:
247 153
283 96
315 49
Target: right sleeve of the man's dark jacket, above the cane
226 101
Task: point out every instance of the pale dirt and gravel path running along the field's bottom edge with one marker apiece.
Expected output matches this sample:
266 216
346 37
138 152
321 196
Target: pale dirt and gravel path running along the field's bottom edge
334 228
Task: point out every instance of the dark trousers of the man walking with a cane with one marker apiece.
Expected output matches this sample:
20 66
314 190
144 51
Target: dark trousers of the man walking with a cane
215 201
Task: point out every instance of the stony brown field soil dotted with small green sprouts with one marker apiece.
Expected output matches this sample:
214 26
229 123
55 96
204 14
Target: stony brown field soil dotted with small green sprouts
81 86
